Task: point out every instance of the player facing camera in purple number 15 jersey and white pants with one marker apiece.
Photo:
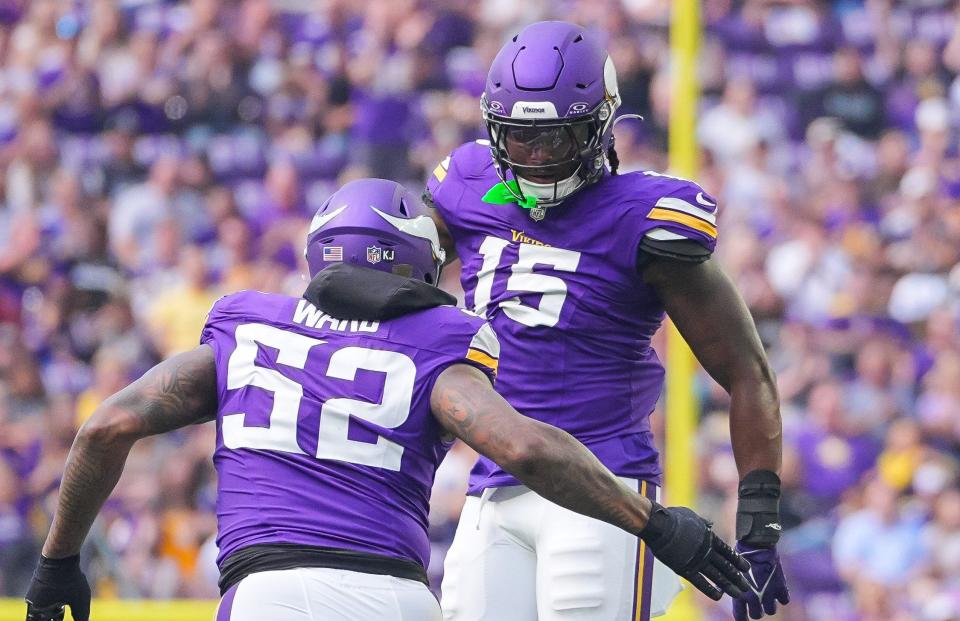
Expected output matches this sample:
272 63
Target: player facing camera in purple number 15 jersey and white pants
574 266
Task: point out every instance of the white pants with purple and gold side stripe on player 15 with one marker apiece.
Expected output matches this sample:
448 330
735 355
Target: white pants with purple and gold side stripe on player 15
519 557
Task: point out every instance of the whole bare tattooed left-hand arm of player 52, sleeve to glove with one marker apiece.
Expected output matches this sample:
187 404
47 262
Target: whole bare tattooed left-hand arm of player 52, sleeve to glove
175 393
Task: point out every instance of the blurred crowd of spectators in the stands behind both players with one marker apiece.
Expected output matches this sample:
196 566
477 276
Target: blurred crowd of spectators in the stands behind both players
156 154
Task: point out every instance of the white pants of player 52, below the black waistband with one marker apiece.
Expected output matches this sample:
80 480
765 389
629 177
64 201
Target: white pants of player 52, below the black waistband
320 594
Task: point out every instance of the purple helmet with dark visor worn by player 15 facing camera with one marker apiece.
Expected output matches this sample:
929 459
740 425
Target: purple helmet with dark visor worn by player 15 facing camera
549 104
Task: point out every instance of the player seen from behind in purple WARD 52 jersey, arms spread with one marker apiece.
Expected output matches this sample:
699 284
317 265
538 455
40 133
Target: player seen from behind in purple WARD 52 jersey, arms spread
333 412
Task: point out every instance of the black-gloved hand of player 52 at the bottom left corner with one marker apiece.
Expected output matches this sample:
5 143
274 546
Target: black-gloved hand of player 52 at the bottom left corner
57 583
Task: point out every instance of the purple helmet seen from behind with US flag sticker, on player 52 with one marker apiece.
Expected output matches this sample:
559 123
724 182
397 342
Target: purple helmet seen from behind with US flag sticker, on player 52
378 224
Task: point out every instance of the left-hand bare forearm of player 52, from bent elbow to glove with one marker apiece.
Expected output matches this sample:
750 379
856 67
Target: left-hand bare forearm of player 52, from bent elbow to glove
92 471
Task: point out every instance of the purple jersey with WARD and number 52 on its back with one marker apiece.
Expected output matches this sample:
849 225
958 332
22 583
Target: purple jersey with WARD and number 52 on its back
324 431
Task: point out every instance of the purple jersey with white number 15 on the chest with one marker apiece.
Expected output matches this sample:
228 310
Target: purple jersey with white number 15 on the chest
567 302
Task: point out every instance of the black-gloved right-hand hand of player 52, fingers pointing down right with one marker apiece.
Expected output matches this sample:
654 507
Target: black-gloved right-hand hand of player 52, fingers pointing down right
686 543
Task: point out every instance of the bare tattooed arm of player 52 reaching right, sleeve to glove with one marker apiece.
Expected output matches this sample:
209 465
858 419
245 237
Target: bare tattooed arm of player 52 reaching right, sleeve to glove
546 459
